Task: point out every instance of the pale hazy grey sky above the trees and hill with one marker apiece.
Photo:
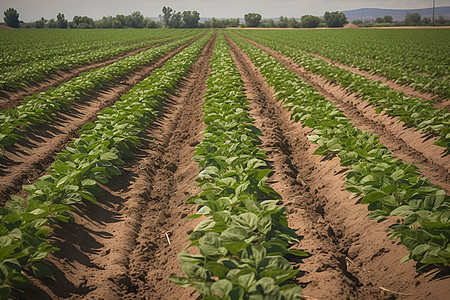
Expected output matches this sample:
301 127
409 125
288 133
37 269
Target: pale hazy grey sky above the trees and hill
31 10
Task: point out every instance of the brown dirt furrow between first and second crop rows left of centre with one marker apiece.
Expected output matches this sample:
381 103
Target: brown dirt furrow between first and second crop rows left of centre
28 159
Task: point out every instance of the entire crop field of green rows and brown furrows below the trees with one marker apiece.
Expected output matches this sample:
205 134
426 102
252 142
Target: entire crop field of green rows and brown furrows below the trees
225 164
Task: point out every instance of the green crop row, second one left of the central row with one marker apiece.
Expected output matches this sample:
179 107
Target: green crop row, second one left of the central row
40 108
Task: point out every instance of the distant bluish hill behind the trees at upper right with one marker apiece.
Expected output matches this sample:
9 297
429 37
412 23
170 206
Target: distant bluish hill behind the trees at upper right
370 14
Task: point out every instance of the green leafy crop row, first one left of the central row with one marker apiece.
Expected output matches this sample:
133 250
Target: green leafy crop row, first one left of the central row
90 159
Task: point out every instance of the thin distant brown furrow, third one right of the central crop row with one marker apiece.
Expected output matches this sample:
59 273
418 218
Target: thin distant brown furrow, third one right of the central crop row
408 91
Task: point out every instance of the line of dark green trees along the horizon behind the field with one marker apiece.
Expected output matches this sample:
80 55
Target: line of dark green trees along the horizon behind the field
191 19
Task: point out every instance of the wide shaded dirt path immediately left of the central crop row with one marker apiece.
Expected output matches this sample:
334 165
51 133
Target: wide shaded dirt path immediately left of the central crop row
119 248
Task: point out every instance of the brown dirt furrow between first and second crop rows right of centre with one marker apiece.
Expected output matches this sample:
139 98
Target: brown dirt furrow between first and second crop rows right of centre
405 143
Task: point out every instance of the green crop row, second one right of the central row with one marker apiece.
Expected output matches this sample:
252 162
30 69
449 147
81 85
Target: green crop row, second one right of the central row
412 111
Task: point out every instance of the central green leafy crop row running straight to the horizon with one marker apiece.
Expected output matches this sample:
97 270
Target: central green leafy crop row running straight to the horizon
244 239
